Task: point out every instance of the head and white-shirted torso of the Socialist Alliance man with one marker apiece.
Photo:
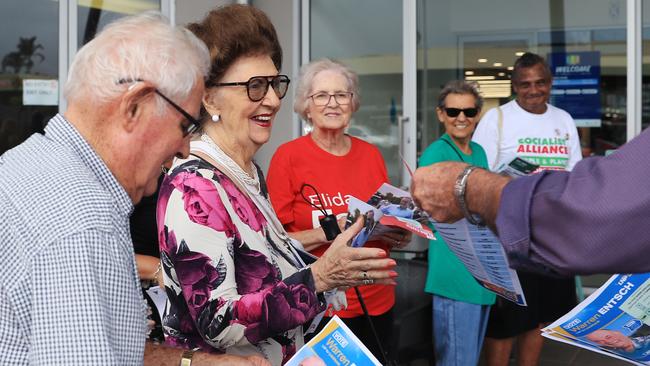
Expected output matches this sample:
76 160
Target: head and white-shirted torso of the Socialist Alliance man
530 128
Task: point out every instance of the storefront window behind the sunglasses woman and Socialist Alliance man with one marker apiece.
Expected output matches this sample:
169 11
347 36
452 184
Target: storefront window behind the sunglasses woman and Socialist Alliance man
478 40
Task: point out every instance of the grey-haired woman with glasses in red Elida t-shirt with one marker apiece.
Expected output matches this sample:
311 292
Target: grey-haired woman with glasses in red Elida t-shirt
338 166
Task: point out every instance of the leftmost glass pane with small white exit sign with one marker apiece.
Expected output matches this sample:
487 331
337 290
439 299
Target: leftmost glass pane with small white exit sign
29 46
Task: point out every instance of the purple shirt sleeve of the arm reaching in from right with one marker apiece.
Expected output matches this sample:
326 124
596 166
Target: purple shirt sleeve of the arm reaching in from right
591 220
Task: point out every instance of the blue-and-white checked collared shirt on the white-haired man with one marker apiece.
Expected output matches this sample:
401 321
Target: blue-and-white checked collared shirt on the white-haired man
70 290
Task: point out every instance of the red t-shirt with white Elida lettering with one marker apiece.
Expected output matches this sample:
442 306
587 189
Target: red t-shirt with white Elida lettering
359 173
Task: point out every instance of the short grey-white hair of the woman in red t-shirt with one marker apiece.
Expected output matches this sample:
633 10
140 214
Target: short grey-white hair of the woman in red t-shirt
306 79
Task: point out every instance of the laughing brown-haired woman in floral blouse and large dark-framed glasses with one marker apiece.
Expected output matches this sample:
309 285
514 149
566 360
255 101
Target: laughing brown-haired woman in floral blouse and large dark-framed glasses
235 280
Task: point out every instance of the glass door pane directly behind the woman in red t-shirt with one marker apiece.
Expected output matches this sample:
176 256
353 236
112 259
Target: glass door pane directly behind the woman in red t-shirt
373 47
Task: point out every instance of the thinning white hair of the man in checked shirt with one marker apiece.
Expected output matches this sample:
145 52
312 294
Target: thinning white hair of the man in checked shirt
139 47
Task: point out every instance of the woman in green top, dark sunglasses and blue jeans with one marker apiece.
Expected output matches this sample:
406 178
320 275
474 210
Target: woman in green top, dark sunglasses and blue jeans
460 305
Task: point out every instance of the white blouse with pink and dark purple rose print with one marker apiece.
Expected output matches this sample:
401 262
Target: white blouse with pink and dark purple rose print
233 286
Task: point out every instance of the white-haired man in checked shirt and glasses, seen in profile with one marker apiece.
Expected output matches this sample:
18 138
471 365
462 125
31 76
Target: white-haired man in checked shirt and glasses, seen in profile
70 289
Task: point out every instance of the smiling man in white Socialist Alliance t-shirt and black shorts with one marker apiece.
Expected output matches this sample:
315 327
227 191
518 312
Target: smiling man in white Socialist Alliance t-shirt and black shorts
529 128
